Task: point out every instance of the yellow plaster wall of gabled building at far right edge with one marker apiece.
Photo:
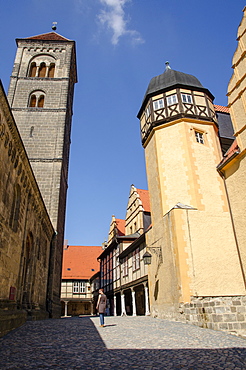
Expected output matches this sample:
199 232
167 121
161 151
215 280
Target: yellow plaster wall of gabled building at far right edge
235 171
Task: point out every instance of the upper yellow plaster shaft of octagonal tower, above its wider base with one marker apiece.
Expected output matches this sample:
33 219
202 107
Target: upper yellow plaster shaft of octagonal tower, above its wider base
182 170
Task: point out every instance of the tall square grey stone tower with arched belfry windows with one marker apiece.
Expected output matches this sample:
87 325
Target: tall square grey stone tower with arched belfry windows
41 97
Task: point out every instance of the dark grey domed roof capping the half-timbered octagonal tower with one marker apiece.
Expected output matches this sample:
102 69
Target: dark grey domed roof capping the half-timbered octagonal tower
172 78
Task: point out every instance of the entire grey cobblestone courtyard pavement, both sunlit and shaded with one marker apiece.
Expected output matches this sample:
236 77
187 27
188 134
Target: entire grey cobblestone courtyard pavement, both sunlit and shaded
124 343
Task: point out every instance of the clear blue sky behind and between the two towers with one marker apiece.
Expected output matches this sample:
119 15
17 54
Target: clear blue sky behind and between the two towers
121 45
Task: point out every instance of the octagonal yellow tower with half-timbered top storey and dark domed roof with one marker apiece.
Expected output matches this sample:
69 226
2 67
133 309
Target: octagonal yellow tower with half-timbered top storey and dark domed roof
191 224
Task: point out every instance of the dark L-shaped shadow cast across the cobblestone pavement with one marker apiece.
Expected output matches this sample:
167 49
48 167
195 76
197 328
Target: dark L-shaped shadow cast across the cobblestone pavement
75 343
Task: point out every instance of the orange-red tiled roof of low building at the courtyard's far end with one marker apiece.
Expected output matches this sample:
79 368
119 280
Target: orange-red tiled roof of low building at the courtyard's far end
80 262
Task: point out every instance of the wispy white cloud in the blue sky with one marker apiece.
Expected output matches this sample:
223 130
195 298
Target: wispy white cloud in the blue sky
113 17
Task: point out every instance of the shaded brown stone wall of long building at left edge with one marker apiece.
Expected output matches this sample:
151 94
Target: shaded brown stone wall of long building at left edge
25 231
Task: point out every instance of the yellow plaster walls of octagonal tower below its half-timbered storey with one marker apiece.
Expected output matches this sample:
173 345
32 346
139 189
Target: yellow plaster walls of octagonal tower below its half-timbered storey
200 257
